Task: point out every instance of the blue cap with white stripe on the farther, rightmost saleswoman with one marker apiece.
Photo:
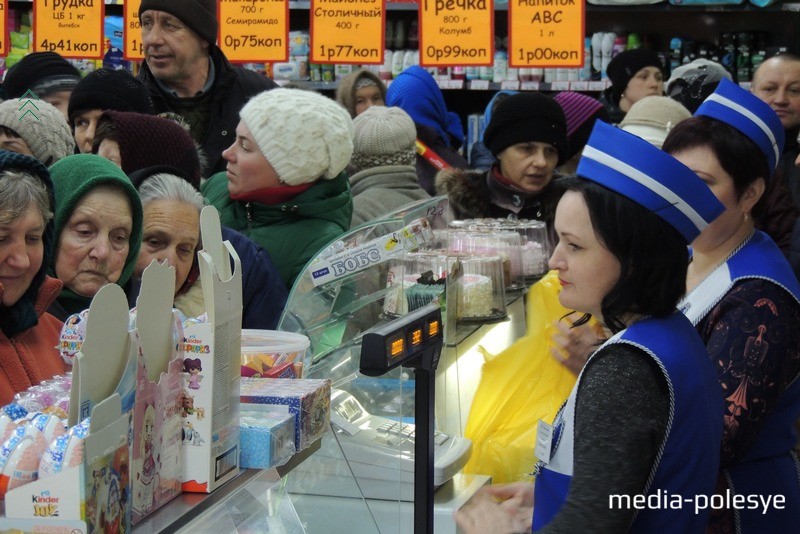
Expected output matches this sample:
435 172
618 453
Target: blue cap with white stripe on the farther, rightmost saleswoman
750 115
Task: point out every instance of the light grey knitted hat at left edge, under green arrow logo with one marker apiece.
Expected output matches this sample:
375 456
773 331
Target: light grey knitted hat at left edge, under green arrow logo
44 129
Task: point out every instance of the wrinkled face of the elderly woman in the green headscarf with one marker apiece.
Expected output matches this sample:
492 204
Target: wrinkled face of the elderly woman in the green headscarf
94 242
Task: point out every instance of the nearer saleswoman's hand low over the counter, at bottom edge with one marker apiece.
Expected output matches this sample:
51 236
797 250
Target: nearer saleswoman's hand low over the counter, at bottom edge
499 509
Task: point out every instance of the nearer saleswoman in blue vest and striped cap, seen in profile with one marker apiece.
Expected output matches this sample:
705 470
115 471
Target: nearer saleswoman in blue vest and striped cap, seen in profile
642 422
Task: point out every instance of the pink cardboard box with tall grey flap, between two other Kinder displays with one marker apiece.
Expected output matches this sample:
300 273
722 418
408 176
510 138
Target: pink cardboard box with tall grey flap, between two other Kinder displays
156 451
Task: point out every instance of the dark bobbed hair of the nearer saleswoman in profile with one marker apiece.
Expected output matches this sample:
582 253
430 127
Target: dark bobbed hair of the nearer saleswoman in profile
652 254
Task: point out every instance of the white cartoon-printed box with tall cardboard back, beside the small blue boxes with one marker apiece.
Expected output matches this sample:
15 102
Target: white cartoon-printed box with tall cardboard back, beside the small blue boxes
212 361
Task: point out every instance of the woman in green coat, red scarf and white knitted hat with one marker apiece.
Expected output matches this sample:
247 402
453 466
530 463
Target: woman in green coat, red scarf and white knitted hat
285 185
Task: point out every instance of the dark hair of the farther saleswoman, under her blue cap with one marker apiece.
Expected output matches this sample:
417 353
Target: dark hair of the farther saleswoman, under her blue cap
738 155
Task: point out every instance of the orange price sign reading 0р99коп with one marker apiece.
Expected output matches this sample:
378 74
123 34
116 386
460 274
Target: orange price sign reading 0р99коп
456 32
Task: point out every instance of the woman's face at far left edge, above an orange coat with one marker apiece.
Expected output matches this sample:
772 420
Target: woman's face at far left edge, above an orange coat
21 253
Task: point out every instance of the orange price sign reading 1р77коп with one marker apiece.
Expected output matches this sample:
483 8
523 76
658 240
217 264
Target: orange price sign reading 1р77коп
348 32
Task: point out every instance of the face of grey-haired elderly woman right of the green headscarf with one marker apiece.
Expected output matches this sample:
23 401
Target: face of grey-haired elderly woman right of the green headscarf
171 232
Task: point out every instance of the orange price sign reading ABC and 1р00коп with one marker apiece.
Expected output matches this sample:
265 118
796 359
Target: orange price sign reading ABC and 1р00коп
546 34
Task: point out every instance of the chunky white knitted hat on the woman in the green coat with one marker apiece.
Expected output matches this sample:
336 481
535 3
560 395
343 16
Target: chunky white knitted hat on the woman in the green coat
304 135
